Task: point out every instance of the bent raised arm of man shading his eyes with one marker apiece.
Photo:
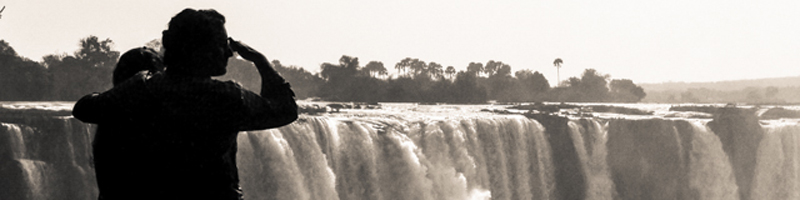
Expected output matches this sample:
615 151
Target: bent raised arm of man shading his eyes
276 106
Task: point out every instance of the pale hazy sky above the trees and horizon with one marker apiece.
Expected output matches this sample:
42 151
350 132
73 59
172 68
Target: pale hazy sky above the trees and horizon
646 41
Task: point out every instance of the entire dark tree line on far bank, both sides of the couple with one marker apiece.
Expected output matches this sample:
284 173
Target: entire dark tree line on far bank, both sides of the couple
64 77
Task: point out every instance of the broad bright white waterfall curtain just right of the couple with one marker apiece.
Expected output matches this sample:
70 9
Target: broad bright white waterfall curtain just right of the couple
472 158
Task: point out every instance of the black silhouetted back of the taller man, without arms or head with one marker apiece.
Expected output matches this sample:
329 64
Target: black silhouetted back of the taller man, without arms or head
197 123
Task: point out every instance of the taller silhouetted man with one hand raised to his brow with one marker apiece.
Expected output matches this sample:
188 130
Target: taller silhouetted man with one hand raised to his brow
189 122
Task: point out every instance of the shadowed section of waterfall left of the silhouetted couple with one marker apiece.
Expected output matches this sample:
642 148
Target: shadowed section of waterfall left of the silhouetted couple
47 160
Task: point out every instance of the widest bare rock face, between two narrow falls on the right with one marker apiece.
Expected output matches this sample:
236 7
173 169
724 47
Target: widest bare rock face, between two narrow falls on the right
649 158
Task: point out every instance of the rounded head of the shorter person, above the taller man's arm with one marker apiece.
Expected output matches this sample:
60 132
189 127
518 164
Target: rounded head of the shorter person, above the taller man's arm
135 60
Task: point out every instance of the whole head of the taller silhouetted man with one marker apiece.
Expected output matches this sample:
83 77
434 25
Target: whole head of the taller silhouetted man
196 43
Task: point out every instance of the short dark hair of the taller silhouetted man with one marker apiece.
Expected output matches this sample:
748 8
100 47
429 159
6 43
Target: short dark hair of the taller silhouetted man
188 31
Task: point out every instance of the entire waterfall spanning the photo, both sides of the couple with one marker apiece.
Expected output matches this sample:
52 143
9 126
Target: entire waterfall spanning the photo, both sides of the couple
448 153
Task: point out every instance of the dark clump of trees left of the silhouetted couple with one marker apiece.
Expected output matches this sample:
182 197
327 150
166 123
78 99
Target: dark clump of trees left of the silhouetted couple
60 77
